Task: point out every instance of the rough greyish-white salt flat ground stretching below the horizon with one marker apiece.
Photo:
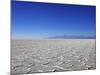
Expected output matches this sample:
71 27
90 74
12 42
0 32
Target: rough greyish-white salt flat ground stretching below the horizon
33 56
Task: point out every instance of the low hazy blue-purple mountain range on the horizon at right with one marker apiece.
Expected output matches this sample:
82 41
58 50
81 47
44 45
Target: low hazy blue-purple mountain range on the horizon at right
71 37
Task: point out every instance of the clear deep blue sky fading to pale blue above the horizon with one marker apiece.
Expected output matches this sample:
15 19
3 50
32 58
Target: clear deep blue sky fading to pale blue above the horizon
39 20
